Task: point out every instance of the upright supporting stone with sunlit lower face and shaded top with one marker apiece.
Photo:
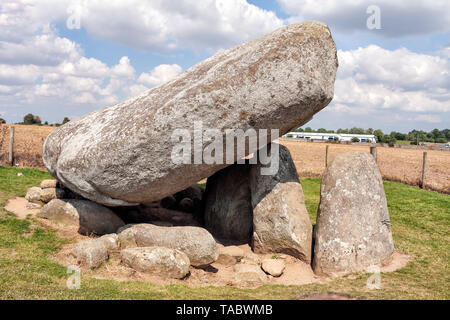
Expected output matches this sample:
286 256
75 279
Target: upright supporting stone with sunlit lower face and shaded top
280 220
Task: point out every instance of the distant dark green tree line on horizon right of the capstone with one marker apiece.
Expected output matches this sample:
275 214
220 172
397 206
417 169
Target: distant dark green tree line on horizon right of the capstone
414 136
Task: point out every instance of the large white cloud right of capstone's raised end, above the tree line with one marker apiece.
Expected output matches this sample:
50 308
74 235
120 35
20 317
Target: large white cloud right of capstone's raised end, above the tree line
373 79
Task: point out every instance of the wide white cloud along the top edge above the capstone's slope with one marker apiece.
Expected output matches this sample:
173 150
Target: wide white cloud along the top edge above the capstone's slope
164 25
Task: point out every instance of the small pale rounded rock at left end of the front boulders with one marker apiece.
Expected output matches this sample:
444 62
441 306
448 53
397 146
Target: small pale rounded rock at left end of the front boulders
91 253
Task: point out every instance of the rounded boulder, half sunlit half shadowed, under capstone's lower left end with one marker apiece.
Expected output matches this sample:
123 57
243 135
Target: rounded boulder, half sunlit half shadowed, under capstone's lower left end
88 216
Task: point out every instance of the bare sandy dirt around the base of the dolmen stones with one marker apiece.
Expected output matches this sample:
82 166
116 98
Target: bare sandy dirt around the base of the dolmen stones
295 273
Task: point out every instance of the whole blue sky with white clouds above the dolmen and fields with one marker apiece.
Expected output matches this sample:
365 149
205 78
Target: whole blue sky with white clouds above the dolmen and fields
63 58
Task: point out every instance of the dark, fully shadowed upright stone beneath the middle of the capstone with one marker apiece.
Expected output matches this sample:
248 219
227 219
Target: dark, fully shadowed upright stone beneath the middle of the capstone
228 207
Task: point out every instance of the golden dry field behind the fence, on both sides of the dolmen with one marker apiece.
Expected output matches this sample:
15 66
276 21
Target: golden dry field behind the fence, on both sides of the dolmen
396 164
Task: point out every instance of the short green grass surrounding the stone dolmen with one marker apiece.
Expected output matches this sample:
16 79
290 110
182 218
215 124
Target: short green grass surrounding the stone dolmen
420 224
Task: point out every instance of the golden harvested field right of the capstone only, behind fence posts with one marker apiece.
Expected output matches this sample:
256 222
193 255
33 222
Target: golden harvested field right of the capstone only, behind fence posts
396 164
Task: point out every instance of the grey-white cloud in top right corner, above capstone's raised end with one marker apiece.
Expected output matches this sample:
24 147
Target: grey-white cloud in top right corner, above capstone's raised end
398 18
